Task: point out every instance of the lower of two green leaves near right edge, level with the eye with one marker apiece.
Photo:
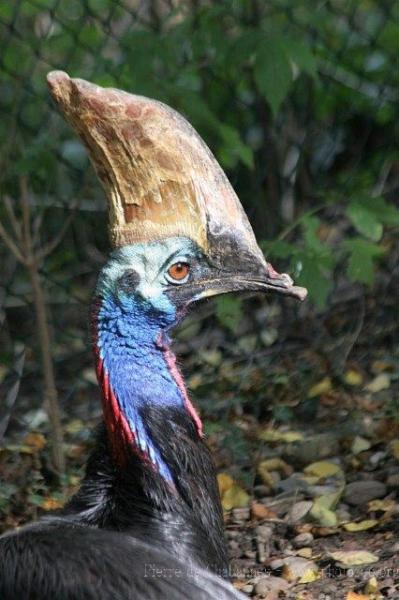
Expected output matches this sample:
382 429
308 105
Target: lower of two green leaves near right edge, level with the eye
362 257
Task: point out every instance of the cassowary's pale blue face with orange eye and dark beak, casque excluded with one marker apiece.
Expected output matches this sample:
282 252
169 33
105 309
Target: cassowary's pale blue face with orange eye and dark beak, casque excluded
163 278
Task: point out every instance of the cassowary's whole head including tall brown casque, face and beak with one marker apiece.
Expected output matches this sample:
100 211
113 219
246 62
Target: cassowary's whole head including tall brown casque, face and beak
179 230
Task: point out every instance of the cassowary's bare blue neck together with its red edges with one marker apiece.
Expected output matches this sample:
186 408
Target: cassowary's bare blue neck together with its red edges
136 369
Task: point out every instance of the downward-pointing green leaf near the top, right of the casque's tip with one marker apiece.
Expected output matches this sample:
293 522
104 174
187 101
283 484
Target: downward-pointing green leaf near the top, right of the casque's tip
273 70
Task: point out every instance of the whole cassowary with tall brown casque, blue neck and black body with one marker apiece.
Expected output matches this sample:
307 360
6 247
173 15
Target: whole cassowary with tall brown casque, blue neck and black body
147 521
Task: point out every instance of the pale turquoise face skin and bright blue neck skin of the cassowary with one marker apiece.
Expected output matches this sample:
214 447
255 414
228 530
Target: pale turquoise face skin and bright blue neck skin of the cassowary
134 312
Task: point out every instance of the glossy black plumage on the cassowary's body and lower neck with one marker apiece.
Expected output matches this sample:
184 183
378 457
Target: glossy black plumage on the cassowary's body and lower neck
127 533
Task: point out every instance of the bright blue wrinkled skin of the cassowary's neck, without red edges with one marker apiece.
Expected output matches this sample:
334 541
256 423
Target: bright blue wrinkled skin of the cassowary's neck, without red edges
128 337
